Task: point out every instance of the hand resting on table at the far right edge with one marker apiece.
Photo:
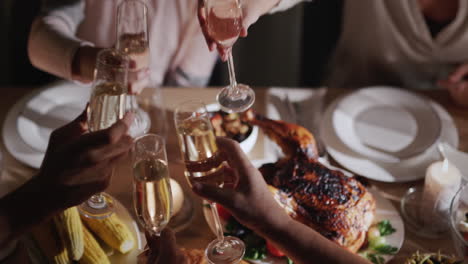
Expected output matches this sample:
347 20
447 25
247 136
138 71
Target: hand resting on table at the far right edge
457 85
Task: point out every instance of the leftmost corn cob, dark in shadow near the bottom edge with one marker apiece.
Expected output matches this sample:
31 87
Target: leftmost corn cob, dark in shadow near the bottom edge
48 240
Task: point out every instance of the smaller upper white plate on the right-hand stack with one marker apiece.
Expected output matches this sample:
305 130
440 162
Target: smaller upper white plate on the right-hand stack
386 124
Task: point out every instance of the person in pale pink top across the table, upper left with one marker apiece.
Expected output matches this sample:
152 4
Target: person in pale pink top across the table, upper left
66 37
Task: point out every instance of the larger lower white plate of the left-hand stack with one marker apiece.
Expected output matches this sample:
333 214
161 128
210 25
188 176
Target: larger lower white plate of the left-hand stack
14 143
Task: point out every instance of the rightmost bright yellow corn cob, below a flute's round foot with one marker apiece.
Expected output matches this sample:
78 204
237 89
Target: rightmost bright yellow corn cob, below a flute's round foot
112 231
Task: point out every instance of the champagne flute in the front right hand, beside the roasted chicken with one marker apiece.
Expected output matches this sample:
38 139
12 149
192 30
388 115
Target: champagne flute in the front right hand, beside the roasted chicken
204 164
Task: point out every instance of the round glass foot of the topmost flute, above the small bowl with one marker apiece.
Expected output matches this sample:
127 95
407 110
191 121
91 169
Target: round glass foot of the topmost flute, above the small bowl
238 100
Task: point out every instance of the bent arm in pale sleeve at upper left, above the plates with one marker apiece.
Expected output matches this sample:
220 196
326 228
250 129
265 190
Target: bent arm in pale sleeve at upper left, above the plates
53 46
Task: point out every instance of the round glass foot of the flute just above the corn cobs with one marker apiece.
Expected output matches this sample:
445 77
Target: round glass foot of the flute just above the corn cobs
98 207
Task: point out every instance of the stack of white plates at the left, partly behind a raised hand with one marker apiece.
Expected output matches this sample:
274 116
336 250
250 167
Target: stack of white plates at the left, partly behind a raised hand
30 121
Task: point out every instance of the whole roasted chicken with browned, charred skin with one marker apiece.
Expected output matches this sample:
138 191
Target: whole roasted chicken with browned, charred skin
338 207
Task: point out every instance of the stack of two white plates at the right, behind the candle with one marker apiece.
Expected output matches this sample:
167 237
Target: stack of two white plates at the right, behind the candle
386 134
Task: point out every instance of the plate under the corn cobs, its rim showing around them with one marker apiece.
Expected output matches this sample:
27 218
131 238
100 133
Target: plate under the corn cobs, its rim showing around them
114 256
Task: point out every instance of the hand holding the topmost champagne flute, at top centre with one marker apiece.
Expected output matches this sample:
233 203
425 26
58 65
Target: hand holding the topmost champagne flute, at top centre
251 12
